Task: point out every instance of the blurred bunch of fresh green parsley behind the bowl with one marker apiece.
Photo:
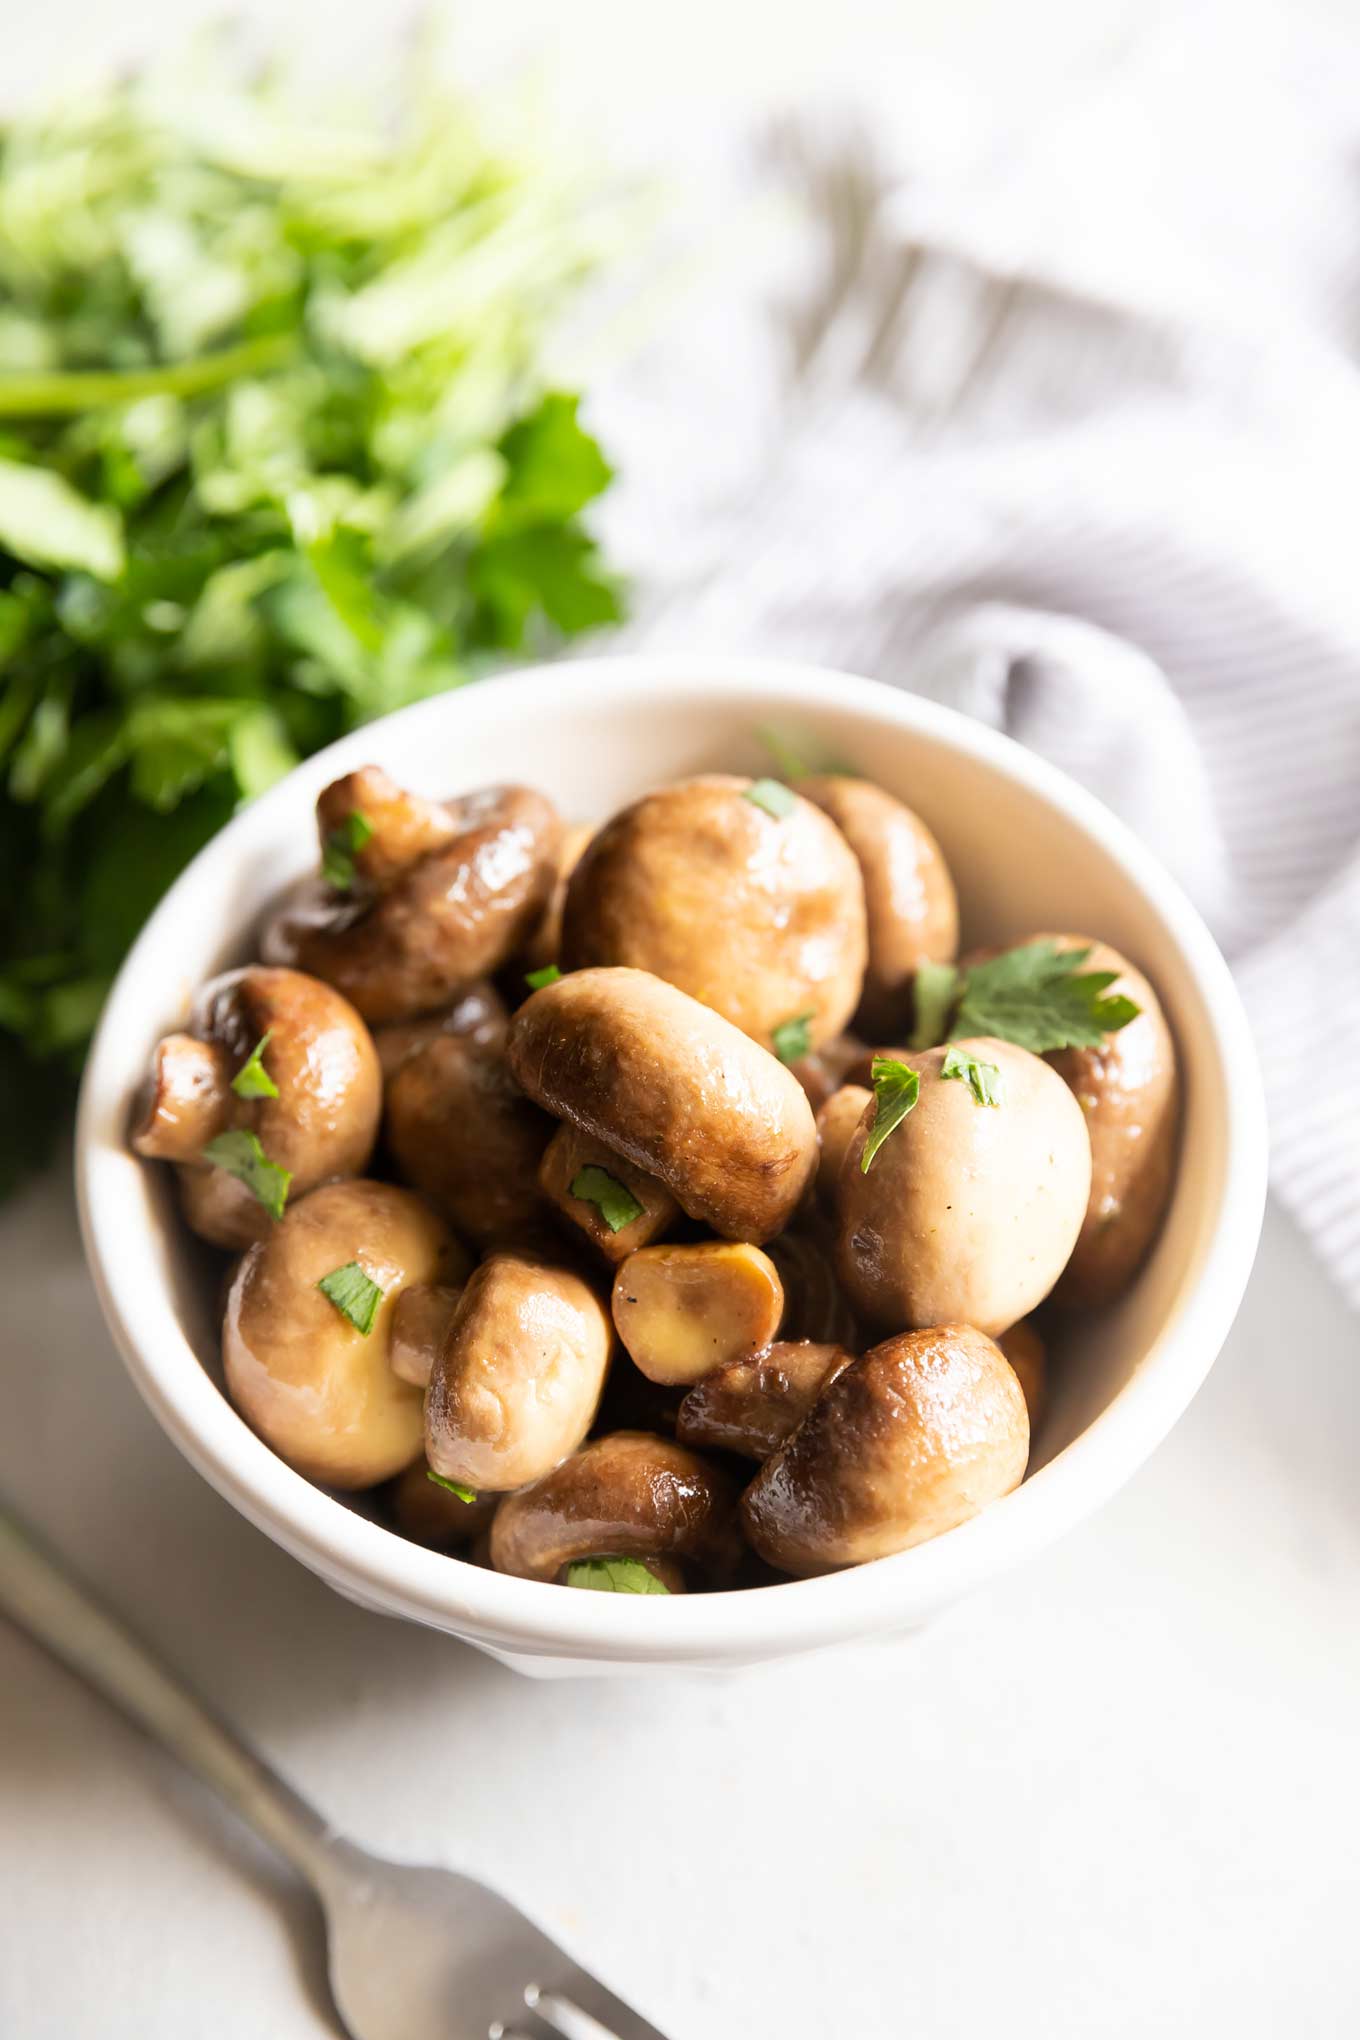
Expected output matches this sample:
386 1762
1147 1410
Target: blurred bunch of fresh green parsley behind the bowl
276 456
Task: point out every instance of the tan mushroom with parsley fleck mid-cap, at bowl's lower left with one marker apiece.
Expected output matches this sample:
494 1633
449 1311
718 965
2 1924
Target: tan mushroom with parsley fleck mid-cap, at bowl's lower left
311 1368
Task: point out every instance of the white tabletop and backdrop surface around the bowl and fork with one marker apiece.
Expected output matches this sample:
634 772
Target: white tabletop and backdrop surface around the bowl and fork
1112 1796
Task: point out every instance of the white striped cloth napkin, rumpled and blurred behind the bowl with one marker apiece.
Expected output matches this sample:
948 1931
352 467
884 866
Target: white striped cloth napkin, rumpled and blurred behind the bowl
1069 436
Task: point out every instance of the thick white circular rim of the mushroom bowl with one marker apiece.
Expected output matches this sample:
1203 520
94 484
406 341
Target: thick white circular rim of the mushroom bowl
537 1621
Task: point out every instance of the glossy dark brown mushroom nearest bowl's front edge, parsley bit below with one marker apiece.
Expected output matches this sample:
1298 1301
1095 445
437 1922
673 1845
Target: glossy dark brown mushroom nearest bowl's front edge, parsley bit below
627 1496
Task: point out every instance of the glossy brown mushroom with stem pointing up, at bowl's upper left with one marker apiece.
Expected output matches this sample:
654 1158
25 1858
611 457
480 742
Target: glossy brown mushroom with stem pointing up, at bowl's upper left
431 897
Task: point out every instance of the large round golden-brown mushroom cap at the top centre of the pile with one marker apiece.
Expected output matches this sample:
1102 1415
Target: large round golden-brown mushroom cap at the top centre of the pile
745 899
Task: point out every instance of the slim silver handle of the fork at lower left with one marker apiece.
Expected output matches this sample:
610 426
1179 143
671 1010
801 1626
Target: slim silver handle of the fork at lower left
44 1598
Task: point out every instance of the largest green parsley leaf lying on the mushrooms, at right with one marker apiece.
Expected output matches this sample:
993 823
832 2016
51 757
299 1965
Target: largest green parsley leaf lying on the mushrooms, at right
1041 999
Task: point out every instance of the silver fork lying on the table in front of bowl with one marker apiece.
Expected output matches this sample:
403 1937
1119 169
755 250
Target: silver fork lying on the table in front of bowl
413 1953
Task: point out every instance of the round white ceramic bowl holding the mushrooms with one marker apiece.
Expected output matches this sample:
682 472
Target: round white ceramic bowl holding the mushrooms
1029 850
